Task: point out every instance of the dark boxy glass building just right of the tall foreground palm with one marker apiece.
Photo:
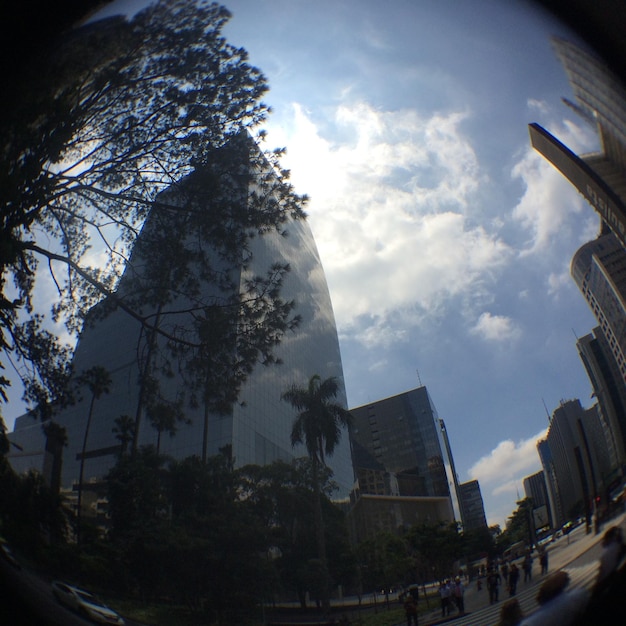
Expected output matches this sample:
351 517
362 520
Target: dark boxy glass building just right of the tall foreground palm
403 471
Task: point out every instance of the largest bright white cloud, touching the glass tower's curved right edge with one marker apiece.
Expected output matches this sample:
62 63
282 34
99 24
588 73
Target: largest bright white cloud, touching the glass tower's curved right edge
390 196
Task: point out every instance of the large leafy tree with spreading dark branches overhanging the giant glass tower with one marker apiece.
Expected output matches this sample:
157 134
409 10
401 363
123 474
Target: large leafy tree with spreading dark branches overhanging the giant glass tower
111 117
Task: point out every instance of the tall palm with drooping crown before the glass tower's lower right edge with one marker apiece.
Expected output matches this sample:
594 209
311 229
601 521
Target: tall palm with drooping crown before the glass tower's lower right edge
318 426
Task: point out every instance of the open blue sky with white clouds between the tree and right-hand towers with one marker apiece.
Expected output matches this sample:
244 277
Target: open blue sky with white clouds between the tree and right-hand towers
445 239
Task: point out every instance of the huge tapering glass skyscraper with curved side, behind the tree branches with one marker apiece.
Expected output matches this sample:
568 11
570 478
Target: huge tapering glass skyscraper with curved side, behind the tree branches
257 426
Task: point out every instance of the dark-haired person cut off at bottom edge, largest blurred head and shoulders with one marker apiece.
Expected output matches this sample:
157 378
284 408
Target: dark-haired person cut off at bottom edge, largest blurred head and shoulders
556 605
